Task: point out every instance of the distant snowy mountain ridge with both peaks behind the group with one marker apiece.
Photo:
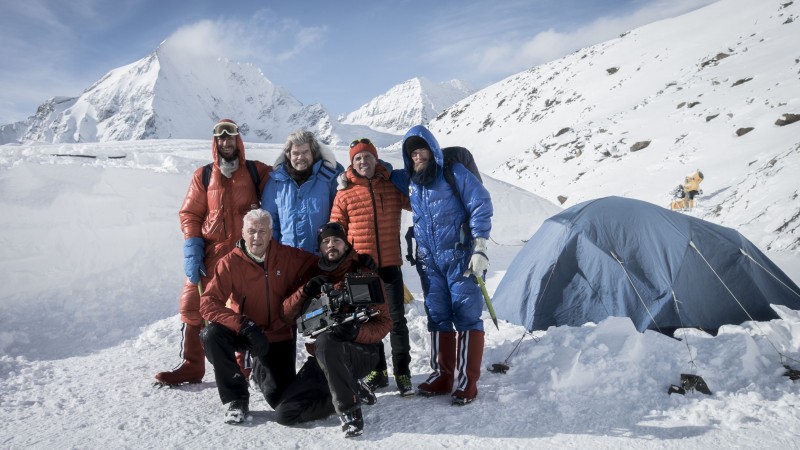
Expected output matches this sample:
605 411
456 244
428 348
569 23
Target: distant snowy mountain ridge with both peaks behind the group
167 96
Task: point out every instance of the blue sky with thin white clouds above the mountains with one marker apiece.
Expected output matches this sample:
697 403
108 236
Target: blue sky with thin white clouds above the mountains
340 54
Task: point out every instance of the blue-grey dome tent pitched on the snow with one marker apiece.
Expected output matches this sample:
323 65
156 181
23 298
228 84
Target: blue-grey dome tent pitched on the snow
622 257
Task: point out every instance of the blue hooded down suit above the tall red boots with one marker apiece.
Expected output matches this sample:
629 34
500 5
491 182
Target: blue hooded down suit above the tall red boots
444 243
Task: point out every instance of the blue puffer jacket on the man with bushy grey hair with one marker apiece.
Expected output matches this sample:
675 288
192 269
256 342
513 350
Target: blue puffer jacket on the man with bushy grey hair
299 211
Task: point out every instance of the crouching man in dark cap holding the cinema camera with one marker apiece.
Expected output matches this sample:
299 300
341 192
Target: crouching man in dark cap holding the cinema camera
341 355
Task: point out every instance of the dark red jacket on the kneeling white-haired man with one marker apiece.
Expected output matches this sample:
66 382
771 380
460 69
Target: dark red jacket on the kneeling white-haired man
254 291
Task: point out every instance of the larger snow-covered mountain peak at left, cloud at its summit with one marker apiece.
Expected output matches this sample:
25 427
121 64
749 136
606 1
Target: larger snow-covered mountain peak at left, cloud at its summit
170 94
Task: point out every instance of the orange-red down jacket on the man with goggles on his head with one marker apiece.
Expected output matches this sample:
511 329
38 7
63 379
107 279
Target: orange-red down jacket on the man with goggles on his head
216 215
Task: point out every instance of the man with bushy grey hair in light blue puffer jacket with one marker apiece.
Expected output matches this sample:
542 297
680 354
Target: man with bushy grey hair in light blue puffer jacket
300 191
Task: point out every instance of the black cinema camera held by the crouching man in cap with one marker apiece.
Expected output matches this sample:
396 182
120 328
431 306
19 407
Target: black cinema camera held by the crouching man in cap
361 291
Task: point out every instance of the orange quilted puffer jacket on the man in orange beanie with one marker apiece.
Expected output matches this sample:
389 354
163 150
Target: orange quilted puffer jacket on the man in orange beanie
370 211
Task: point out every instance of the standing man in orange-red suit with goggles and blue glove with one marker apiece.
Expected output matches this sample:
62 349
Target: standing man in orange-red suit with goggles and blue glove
211 221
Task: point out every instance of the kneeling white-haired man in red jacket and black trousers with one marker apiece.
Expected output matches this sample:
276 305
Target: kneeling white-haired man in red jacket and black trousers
255 277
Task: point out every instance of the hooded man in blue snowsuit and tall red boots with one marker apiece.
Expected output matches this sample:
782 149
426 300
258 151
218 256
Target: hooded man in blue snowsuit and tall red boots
451 227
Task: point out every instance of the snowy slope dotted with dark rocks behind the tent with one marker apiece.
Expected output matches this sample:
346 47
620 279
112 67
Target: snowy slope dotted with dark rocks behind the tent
716 89
